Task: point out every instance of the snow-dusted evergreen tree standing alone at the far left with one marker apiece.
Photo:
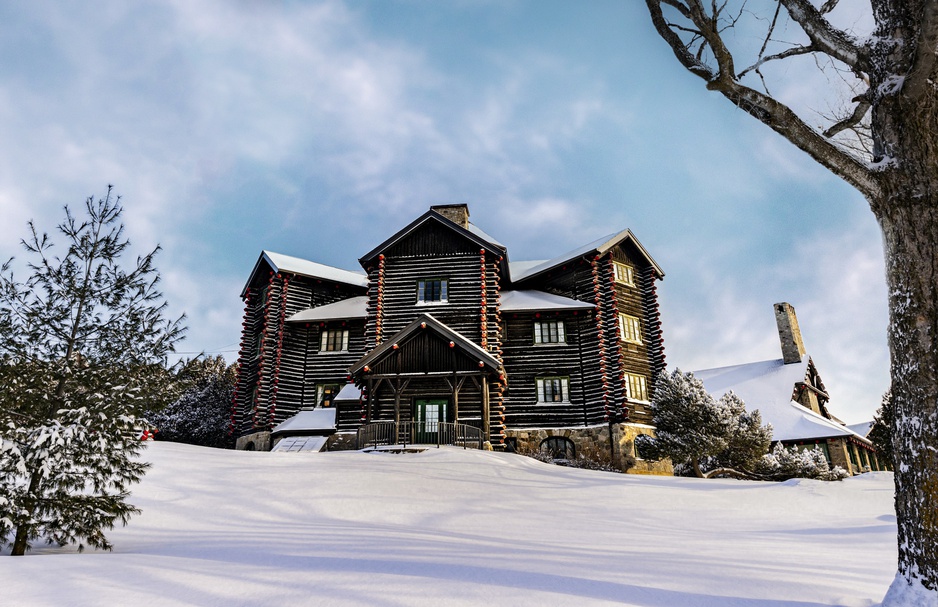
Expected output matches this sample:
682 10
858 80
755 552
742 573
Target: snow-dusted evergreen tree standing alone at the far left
83 343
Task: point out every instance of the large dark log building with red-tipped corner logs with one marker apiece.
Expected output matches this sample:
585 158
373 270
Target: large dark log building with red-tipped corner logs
441 326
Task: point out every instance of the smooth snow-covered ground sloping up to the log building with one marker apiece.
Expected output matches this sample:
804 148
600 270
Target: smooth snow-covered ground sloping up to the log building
453 527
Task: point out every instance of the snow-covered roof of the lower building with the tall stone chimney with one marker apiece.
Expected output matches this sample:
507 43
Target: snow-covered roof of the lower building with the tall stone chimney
768 386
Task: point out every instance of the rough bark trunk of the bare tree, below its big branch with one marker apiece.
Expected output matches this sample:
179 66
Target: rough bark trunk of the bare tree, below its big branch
909 222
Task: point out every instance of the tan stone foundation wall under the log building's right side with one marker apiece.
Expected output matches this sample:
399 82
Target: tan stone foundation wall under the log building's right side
592 442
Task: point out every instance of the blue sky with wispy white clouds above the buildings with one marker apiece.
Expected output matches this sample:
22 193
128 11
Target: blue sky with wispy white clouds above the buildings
317 129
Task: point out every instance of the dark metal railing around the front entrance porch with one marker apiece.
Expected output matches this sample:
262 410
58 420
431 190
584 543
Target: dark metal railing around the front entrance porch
387 434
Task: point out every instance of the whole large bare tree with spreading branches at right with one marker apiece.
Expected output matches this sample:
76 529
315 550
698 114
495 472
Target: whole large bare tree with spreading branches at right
884 144
